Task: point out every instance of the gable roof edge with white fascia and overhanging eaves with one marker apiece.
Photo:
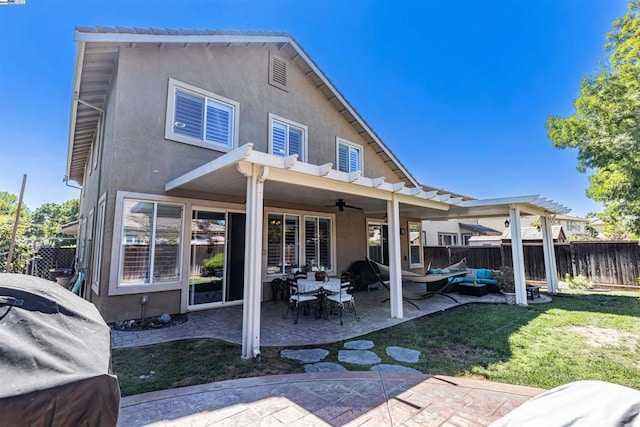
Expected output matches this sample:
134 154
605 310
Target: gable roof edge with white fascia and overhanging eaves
96 60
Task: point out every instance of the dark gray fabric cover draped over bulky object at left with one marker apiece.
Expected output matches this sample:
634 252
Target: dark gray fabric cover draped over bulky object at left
55 357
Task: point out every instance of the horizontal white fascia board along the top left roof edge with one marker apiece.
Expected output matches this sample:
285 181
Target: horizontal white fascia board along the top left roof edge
176 38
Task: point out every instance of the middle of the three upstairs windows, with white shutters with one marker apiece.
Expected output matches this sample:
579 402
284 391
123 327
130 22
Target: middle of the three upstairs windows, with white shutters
287 138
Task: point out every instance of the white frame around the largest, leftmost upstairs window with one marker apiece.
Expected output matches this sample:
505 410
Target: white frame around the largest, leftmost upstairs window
174 86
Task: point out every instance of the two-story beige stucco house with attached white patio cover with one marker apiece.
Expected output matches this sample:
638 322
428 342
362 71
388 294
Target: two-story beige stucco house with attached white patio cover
213 162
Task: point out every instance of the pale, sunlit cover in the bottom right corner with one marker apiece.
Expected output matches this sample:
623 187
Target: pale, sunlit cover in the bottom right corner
581 403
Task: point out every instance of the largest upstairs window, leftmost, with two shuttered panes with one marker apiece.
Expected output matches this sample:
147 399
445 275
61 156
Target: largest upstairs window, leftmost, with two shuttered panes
196 116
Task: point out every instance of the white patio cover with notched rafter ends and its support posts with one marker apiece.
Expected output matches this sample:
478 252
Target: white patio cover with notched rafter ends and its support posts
254 177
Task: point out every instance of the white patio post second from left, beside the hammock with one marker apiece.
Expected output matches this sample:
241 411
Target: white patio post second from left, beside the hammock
395 258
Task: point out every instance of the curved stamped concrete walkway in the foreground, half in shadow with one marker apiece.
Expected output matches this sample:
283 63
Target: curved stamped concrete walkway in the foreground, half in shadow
347 398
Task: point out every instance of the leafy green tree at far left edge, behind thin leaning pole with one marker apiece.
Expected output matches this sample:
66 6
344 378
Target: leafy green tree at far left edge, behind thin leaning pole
8 209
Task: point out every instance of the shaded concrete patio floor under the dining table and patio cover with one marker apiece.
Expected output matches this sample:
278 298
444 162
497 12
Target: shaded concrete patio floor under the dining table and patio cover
226 323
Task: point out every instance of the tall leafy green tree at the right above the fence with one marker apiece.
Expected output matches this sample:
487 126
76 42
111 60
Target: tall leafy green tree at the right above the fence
605 128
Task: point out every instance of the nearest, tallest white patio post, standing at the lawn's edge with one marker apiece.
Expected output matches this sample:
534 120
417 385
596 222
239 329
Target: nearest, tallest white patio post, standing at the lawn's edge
253 262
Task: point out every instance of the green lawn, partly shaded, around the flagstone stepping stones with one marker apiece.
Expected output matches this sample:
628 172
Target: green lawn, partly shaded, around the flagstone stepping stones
580 335
